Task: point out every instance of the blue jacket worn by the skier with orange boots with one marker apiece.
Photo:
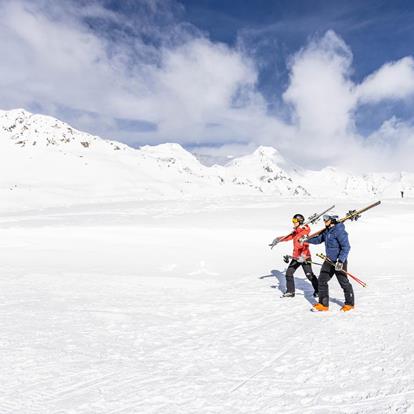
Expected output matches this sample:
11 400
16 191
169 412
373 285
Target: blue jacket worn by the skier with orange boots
336 241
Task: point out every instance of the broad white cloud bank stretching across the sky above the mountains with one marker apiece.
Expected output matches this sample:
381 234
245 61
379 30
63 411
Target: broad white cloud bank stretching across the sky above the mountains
147 76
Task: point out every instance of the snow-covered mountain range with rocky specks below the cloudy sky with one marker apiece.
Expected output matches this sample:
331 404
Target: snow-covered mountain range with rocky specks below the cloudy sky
45 159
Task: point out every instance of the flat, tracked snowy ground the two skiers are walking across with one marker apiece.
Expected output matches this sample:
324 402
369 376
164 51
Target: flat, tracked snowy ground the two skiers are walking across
174 307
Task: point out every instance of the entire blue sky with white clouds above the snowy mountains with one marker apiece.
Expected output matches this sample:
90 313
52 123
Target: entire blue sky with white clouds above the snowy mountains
324 82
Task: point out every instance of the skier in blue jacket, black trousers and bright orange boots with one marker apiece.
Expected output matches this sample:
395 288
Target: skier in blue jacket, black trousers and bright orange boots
337 248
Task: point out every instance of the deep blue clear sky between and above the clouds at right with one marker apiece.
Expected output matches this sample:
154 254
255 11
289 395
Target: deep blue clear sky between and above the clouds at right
376 31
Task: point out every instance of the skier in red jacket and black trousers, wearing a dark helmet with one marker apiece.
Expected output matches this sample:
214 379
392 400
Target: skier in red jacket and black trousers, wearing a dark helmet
300 257
